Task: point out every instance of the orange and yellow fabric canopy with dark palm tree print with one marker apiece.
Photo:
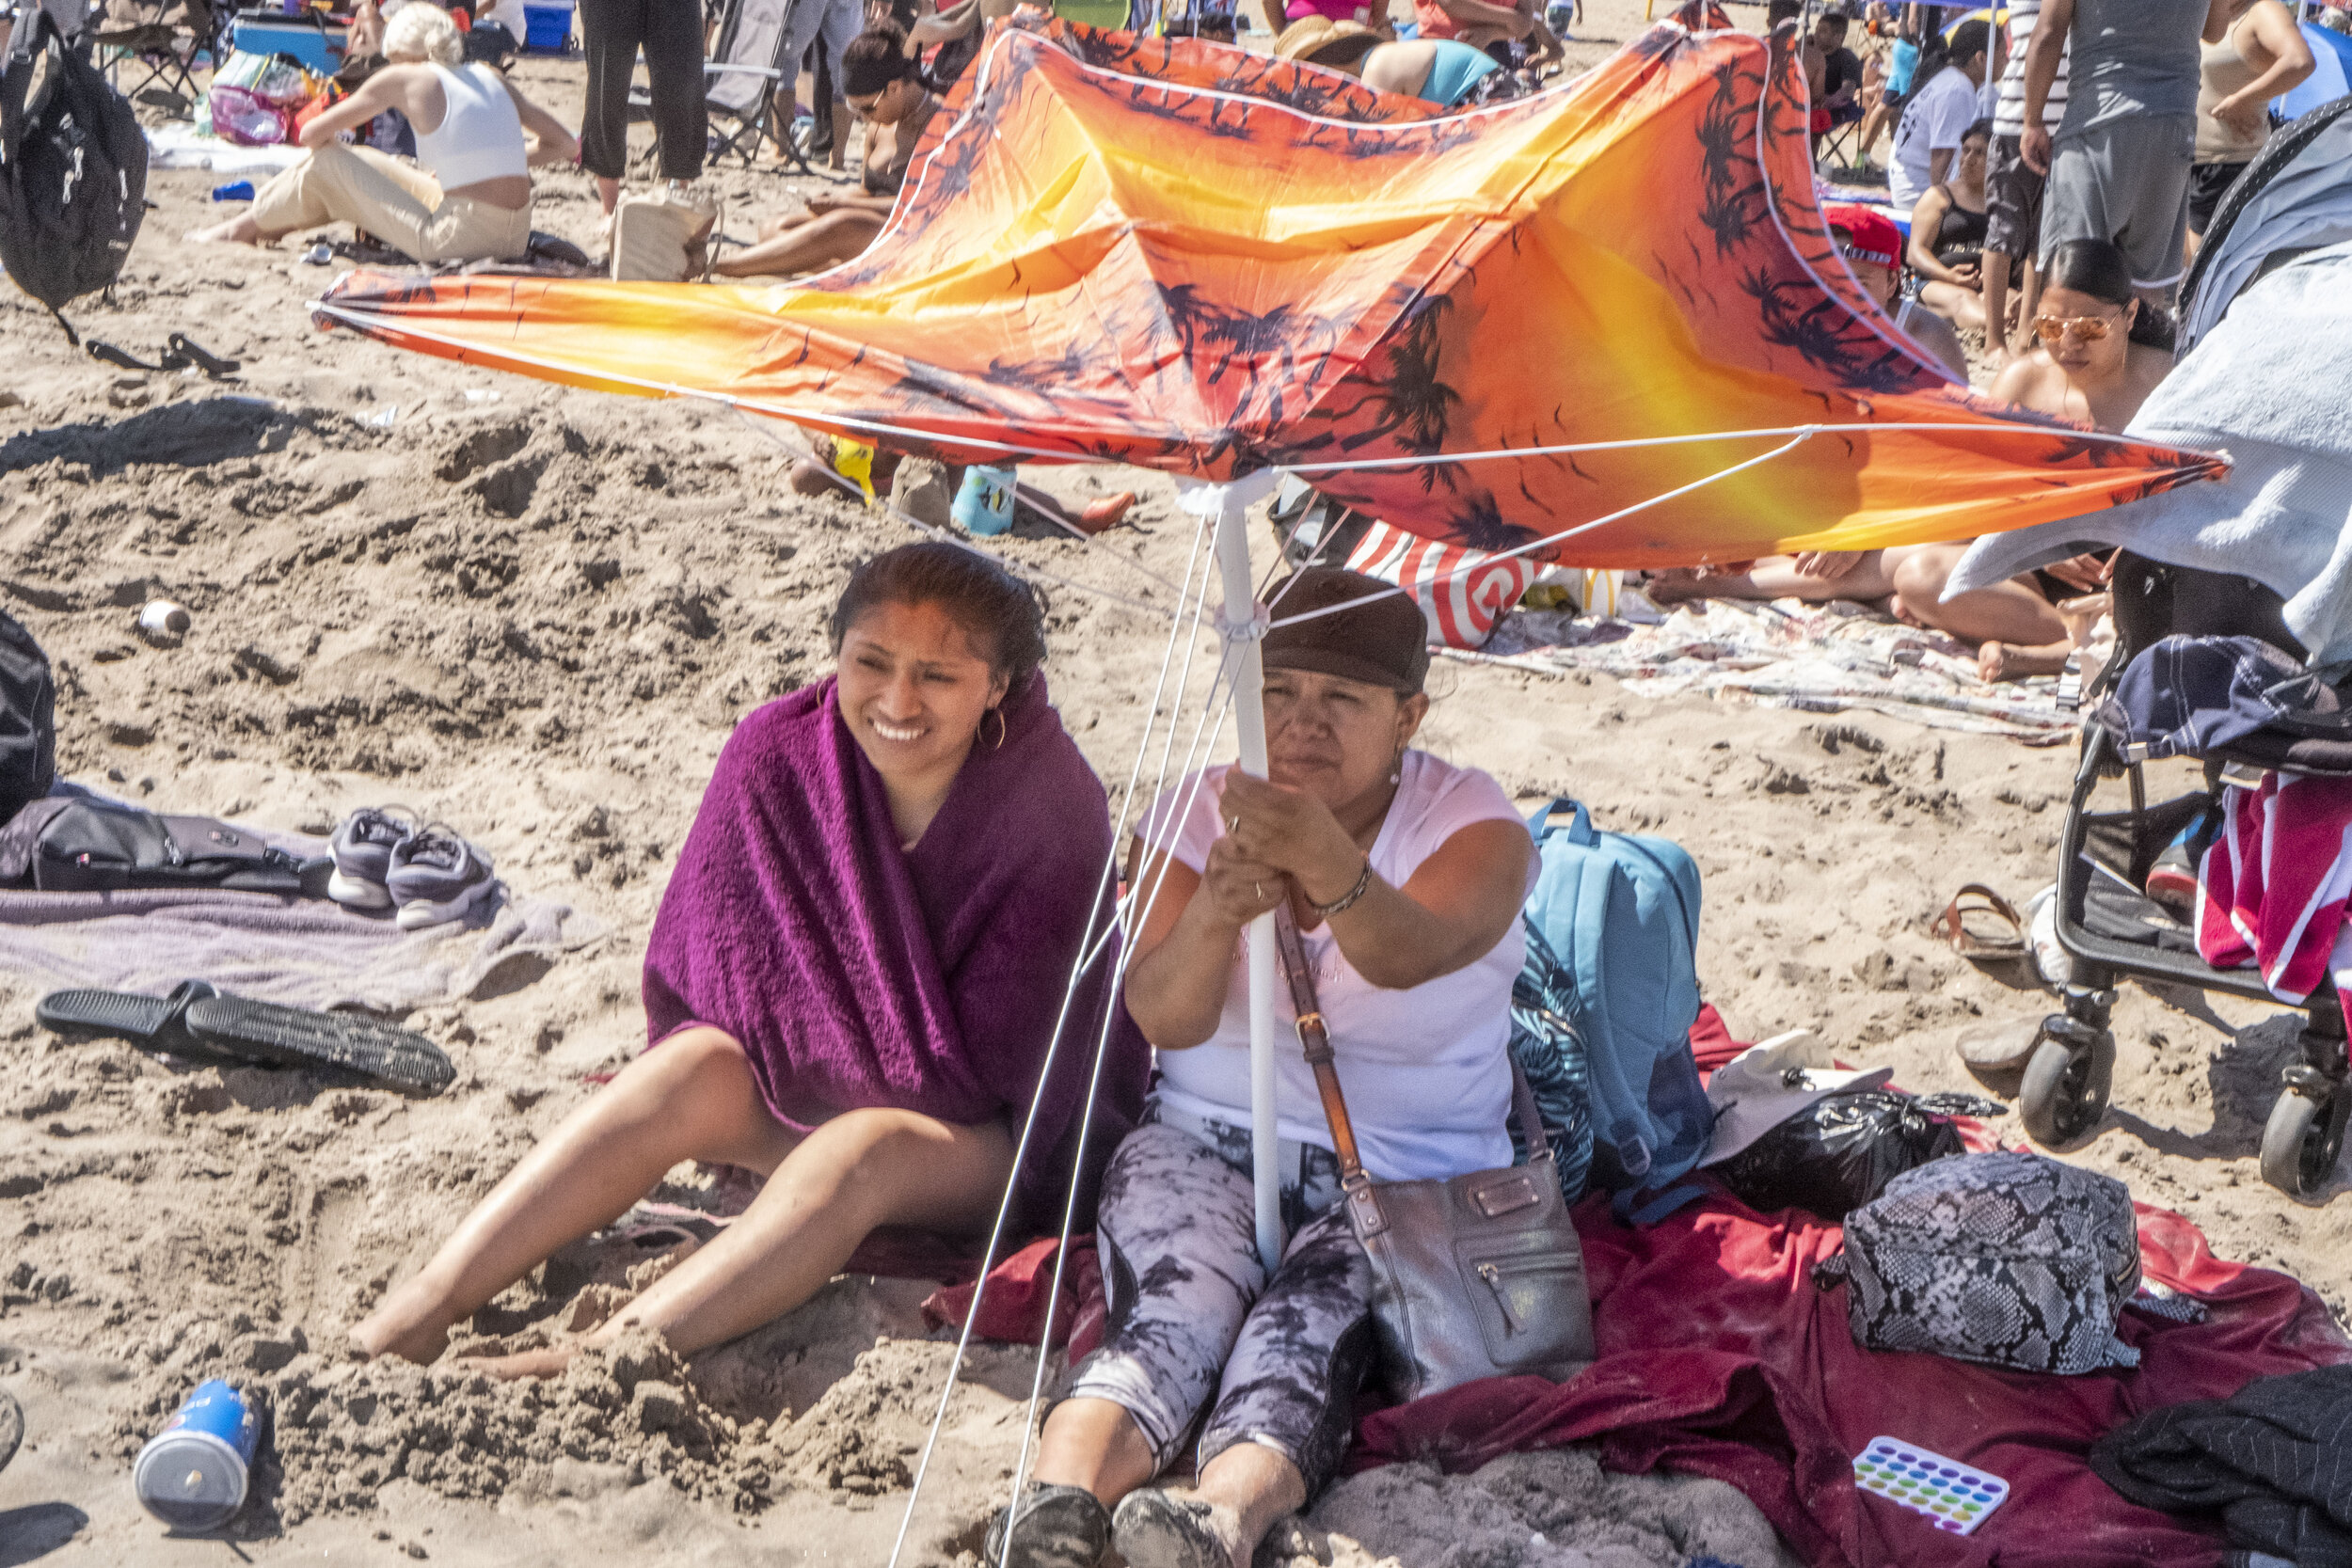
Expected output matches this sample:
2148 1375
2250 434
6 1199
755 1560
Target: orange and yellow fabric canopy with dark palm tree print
1608 311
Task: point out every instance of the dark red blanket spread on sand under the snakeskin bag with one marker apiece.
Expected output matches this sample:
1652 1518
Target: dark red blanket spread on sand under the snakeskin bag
1723 1360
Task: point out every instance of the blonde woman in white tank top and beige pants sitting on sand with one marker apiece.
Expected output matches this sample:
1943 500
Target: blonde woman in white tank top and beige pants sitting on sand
467 196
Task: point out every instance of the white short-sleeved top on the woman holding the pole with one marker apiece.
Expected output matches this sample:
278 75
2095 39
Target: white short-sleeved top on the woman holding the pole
1426 1071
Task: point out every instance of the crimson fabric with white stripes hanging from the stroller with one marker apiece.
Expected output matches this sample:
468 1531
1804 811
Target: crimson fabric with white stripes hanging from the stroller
2276 885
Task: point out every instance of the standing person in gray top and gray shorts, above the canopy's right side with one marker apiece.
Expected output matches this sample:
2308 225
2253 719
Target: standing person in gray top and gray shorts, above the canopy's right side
2120 161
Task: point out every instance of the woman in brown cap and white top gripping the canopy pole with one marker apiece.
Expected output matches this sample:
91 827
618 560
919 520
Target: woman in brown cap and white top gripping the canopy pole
1405 878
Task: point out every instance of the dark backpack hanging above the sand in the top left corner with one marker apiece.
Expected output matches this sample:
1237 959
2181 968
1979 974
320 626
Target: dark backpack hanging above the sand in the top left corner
72 173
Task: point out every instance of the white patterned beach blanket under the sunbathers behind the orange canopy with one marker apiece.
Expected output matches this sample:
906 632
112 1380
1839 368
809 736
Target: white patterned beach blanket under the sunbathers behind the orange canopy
1789 655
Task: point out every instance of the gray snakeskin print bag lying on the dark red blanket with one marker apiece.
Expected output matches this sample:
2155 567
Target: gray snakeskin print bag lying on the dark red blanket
2003 1259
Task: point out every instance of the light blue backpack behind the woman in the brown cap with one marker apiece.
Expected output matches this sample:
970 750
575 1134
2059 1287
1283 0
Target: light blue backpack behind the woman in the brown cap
1605 1007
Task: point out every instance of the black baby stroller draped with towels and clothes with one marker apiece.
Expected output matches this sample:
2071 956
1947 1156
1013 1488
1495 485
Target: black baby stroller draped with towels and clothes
2104 918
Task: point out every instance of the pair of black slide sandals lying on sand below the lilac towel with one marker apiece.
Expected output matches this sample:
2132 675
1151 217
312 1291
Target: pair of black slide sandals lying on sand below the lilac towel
206 1026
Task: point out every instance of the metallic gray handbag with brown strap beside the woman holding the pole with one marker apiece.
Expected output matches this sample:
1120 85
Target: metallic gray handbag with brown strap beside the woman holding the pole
1474 1278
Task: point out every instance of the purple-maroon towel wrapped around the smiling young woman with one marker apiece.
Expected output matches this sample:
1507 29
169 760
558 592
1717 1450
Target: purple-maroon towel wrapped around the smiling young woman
930 979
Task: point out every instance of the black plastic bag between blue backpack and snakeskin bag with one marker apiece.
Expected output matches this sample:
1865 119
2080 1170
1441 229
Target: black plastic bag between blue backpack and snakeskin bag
1840 1153
